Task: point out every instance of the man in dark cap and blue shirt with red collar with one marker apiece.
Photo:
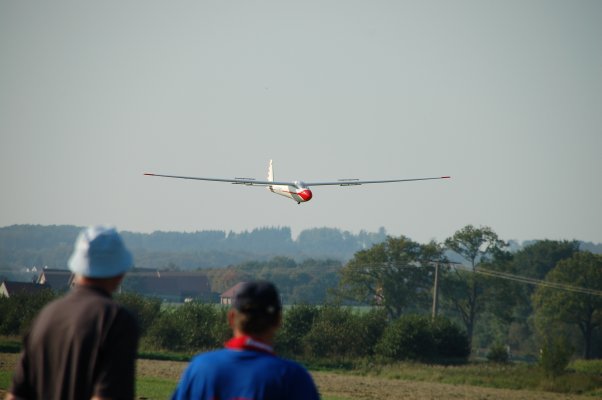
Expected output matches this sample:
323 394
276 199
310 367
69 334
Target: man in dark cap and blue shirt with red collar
248 369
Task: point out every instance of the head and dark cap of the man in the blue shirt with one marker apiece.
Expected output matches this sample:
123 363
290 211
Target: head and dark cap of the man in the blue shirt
258 307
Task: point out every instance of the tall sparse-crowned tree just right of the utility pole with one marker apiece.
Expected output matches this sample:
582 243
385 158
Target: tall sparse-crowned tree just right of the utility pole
465 288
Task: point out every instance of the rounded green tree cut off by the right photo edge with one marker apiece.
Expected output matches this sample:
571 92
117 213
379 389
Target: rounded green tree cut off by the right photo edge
581 304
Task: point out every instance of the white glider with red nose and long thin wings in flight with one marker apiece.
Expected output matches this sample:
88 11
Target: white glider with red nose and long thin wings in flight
297 190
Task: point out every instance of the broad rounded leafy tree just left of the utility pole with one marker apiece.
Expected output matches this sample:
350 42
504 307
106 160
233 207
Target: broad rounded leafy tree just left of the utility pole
395 274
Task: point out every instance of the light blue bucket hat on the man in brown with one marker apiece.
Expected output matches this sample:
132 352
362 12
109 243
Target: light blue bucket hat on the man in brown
100 253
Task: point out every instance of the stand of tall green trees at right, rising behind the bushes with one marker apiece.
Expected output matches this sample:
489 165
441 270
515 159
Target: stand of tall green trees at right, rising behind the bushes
522 301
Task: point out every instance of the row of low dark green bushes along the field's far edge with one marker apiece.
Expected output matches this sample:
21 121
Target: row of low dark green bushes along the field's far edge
308 332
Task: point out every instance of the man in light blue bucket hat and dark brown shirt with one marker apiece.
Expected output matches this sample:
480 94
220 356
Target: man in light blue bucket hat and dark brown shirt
83 345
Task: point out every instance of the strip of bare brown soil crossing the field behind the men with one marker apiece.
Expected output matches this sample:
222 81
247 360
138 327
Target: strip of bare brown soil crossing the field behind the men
351 387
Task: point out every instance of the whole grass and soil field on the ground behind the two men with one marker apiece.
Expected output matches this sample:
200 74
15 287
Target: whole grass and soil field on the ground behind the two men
156 379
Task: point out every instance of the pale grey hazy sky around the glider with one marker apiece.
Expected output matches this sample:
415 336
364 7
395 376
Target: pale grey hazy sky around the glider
504 96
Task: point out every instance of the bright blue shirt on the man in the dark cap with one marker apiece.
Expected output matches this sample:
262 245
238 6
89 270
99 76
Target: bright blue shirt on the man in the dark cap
232 374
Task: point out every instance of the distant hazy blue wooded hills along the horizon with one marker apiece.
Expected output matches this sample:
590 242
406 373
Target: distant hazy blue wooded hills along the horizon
34 245
